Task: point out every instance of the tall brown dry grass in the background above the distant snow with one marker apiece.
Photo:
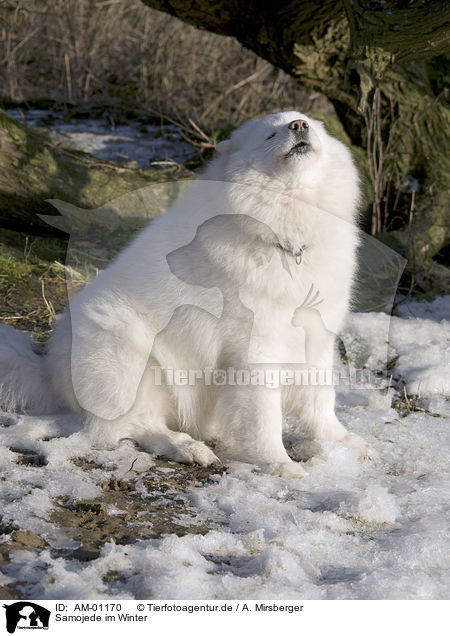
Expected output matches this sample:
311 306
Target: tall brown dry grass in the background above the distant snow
122 54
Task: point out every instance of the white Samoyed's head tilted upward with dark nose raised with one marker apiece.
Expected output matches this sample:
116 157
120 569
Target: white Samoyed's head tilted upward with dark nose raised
291 152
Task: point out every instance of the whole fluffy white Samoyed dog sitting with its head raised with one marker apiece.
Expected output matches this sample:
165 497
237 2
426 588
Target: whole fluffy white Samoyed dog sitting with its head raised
194 340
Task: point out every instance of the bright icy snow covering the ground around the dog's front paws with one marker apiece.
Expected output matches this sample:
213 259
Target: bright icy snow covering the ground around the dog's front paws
349 530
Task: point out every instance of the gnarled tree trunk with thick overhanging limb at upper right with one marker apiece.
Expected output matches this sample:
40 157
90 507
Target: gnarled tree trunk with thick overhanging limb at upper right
383 66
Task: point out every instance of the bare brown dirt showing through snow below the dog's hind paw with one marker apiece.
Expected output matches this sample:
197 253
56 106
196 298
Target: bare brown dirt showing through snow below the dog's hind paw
166 510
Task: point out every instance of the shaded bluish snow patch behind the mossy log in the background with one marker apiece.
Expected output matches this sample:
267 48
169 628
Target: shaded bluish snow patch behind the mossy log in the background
133 141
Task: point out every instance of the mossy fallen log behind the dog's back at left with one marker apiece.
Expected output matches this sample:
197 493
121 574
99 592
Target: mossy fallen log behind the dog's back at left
35 168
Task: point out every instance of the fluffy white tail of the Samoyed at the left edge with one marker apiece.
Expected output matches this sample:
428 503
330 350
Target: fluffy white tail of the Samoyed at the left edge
24 381
